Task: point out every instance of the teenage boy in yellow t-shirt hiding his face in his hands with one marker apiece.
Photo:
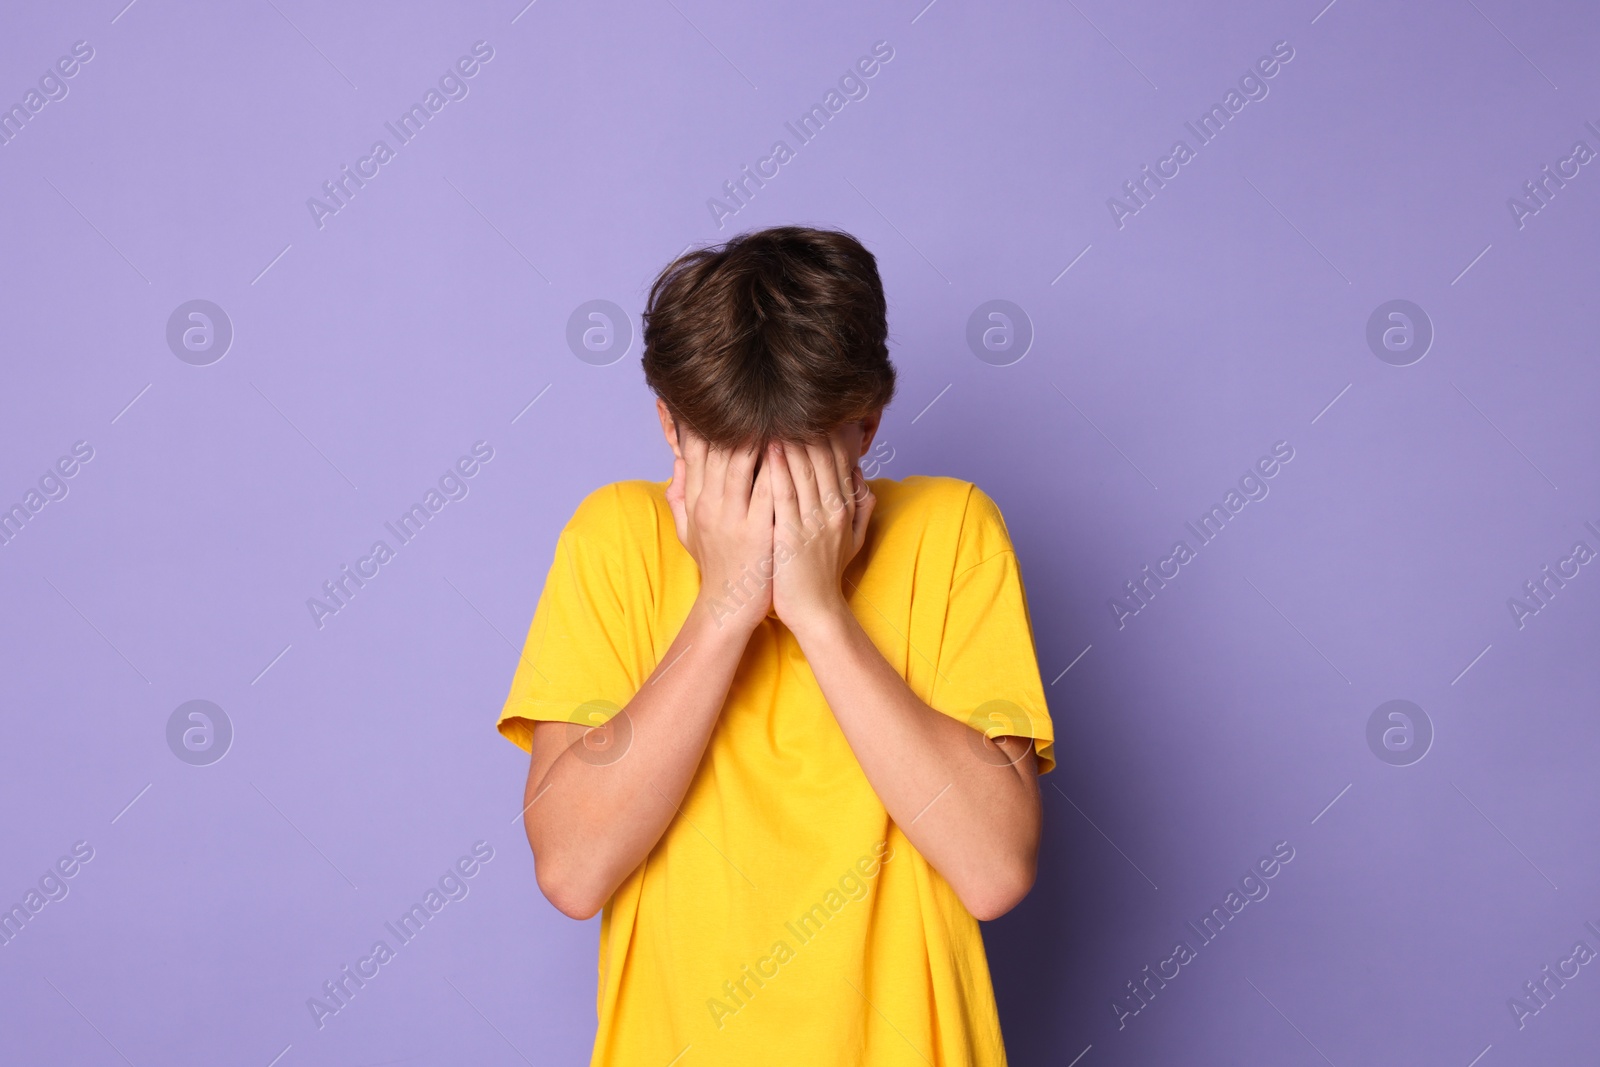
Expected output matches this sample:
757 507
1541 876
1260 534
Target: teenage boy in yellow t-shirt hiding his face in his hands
785 722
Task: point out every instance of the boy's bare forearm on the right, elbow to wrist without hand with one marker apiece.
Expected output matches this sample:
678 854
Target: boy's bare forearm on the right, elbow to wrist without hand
977 820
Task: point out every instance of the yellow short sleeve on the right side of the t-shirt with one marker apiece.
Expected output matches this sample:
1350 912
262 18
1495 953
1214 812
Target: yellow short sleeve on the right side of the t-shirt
988 669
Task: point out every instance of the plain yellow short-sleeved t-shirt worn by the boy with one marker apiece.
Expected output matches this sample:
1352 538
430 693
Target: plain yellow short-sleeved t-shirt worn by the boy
783 917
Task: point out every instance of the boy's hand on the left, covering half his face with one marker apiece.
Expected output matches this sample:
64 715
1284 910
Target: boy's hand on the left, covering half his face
724 518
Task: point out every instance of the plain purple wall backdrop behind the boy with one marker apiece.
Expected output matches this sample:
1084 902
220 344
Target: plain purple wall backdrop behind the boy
1150 353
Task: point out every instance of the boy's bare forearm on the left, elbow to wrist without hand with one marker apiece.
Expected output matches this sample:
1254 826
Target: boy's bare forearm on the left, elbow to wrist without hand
593 818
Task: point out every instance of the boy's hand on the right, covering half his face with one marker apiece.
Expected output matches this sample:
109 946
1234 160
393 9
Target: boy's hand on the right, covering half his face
822 506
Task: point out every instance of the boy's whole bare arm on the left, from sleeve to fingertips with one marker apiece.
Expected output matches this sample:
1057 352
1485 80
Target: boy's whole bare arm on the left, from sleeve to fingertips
594 812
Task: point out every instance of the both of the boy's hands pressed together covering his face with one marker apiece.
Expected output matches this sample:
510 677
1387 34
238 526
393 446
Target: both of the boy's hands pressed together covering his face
775 538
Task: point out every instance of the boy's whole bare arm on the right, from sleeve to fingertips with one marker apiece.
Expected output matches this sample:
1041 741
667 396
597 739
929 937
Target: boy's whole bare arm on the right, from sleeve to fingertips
969 805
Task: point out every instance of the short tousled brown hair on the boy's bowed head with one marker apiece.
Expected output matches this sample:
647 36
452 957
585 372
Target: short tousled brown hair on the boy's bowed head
777 335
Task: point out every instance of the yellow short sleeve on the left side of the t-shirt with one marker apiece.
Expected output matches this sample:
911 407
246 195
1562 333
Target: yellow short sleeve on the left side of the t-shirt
575 665
